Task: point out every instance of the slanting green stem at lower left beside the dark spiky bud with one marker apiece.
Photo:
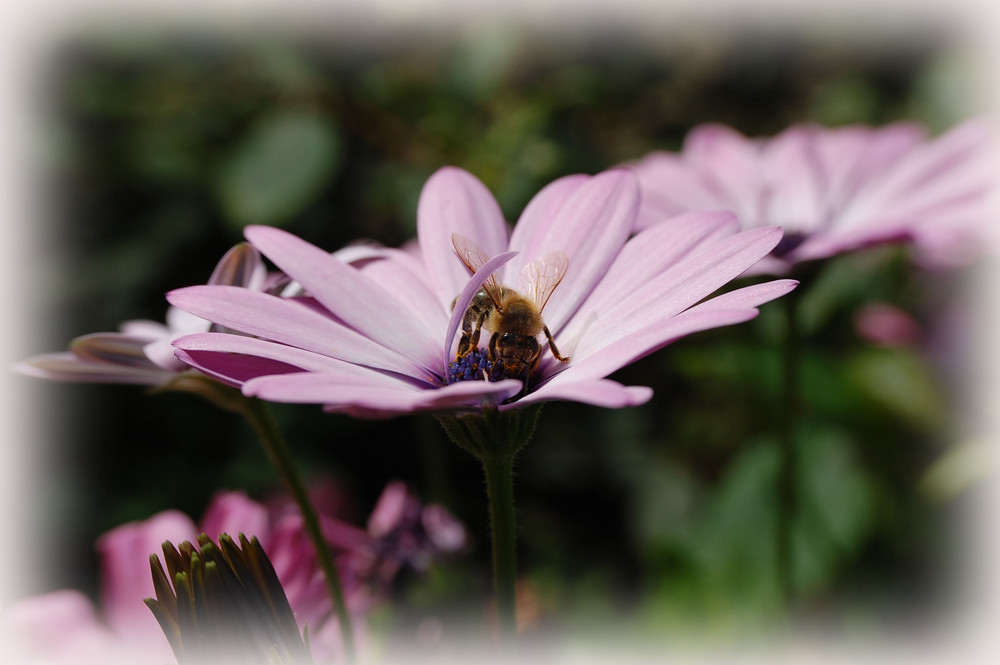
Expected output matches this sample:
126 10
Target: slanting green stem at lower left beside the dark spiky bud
263 422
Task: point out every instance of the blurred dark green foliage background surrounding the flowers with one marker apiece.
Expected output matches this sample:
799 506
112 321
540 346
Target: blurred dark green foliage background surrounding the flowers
157 145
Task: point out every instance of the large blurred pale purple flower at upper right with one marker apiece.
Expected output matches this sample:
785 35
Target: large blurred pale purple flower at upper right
835 190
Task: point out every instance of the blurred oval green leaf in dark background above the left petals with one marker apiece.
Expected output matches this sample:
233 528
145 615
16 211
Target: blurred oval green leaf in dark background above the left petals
278 168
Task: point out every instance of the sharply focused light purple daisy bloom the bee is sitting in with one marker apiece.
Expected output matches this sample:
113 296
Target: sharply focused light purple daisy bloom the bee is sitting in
380 338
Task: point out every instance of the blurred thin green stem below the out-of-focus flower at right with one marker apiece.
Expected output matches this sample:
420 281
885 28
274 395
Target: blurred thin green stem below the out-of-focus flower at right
789 406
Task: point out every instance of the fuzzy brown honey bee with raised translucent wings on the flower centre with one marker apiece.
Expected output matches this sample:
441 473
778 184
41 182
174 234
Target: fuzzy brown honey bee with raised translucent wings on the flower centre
513 317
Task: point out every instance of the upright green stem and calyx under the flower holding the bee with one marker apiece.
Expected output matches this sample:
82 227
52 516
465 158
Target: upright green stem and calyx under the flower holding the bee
495 438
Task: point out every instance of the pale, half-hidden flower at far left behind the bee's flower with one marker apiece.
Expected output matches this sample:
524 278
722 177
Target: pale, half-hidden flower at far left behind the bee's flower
141 351
